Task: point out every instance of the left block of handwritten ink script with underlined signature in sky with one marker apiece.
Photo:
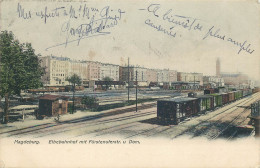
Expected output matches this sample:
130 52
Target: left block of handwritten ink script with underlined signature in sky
93 21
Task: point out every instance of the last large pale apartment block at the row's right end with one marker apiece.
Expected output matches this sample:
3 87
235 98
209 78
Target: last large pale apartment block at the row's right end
190 77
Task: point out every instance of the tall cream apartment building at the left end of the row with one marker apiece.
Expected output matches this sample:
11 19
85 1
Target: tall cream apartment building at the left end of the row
57 70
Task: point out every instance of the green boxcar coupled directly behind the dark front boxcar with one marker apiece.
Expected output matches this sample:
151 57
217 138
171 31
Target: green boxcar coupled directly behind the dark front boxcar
206 103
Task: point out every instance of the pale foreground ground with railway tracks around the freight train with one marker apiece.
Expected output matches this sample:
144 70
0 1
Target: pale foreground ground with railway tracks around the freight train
126 123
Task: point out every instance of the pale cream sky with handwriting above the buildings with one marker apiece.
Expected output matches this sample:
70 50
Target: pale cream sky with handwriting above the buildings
141 32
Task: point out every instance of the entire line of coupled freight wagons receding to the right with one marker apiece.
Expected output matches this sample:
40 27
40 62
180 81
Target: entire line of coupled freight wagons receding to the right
174 110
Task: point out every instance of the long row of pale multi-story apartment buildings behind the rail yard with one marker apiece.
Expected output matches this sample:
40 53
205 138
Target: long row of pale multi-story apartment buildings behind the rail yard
59 68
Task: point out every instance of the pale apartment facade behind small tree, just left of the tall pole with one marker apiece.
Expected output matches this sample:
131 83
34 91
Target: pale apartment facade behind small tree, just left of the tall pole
109 70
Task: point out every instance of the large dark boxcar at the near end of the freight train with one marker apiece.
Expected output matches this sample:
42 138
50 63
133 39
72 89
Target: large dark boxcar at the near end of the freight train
172 111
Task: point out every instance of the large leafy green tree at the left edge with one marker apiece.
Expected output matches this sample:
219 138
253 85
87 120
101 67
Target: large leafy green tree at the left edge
19 68
